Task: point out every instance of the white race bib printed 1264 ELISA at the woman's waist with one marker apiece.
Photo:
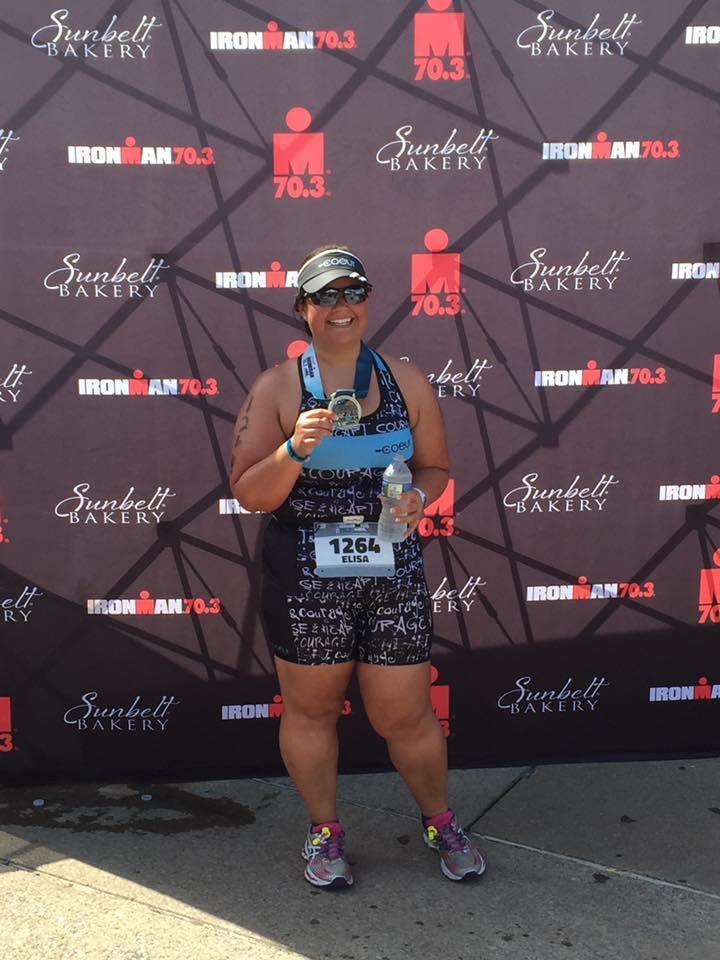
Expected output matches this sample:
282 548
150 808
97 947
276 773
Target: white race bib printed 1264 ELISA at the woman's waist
352 550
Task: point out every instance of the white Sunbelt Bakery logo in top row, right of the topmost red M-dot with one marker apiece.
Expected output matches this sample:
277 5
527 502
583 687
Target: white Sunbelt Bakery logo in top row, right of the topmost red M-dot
548 37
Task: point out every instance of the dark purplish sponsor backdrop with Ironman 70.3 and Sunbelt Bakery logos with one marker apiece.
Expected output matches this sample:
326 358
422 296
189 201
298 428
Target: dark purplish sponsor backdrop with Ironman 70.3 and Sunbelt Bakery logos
532 190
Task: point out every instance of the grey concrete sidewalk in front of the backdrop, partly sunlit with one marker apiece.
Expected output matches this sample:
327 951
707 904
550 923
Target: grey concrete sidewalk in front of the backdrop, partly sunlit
585 862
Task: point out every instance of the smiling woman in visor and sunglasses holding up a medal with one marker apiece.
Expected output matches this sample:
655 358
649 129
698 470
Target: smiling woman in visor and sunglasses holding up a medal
309 463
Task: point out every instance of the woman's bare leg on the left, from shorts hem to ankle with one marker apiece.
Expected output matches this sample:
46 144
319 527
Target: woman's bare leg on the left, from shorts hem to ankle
313 697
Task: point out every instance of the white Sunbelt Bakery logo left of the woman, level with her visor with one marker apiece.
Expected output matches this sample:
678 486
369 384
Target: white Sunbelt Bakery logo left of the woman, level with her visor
75 281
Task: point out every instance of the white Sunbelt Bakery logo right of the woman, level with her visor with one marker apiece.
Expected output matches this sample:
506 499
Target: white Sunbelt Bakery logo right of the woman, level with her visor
587 273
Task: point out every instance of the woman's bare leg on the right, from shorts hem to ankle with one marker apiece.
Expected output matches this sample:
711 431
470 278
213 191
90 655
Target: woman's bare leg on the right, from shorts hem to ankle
397 702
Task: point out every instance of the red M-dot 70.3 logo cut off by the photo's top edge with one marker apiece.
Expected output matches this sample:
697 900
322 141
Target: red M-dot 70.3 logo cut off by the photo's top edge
439 43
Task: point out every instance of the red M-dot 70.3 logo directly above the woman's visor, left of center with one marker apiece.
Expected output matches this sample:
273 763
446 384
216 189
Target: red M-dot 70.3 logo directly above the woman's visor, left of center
299 159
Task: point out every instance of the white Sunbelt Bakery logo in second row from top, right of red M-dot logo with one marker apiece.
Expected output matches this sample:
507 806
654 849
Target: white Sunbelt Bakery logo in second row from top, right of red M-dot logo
411 152
